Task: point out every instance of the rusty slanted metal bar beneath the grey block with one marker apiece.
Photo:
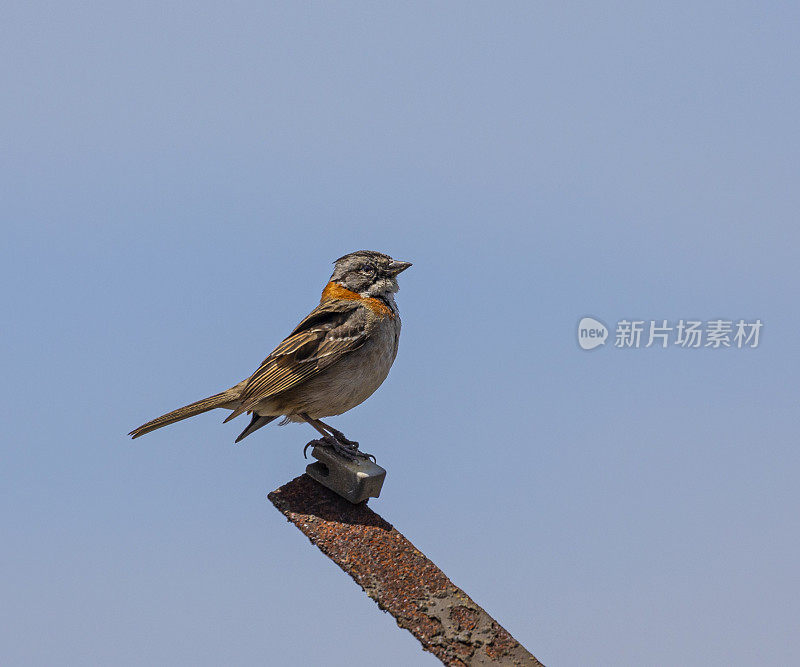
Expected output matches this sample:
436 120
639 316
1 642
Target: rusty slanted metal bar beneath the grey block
399 577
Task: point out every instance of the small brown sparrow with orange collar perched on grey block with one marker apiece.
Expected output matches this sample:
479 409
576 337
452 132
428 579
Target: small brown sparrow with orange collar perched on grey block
332 361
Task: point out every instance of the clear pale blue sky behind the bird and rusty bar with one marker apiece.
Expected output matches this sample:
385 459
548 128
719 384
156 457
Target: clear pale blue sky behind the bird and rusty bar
176 179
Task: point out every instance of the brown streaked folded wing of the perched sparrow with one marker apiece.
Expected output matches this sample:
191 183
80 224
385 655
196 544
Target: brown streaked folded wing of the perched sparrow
330 331
